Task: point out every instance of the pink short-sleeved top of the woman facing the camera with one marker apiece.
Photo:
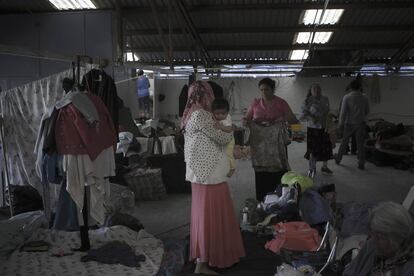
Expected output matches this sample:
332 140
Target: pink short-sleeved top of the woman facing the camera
258 111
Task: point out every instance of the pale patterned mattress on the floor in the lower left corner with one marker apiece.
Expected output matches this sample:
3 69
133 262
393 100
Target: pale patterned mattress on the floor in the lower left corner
42 263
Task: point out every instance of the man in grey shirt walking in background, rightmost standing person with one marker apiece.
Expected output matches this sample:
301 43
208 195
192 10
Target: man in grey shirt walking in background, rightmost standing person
352 116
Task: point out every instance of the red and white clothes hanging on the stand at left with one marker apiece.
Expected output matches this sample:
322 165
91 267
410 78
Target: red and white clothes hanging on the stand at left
88 155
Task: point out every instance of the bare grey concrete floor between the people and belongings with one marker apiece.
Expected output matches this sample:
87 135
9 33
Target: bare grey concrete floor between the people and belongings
171 216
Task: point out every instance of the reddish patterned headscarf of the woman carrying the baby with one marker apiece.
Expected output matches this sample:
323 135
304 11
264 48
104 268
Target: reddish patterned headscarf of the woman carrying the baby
200 96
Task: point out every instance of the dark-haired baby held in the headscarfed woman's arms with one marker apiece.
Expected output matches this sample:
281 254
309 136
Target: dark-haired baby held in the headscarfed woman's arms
220 109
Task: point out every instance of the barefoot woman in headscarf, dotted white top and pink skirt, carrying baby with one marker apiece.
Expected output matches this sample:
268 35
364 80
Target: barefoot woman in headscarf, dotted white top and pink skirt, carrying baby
215 238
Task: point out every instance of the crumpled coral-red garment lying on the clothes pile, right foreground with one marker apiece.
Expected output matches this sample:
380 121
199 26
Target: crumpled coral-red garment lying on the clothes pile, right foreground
295 235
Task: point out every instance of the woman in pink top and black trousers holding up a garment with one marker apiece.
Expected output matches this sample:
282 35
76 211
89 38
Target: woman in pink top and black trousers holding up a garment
266 119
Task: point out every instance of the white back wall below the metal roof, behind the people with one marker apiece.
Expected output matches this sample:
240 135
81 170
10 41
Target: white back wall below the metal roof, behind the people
397 94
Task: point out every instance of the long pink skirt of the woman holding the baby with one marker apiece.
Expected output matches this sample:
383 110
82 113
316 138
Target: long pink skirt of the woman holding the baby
215 236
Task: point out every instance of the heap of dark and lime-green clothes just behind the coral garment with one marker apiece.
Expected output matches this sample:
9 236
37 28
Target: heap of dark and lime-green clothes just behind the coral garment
295 201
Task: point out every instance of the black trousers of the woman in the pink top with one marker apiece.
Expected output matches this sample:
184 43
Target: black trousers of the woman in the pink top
266 182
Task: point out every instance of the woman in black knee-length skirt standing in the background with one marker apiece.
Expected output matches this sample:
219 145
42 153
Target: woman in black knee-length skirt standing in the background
315 112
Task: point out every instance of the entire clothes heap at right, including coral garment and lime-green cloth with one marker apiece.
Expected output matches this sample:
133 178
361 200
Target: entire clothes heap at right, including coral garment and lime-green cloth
301 221
